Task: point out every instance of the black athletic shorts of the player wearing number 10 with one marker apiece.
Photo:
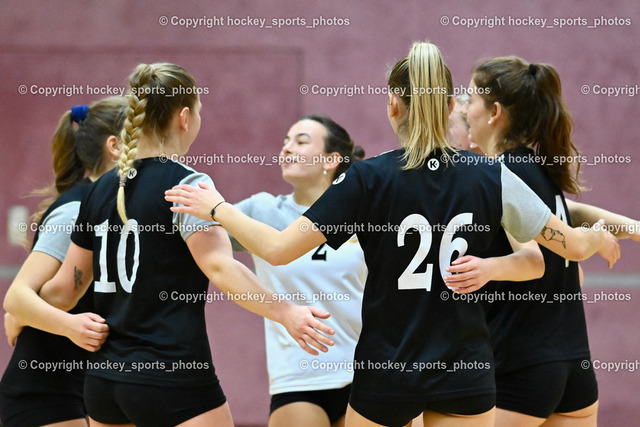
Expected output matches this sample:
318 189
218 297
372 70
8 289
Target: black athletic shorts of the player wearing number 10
113 402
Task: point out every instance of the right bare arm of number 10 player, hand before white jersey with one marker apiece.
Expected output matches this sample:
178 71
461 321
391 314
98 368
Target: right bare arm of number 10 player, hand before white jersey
211 250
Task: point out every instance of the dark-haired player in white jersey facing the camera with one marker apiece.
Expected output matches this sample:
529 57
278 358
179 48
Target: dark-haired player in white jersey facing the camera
305 392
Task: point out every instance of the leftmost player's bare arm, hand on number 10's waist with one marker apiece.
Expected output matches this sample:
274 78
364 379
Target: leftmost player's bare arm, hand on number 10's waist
87 330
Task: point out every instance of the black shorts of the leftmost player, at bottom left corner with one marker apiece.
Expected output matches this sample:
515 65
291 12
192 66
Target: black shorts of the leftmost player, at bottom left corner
35 410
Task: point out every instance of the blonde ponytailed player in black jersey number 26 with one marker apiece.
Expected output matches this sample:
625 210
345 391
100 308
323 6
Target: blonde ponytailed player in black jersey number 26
422 348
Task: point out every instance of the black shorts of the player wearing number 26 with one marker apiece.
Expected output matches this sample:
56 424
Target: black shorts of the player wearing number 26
394 414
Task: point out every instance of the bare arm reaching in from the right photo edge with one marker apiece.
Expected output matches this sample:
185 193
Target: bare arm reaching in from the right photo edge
620 226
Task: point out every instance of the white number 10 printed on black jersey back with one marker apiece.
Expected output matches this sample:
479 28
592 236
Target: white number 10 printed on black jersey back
103 285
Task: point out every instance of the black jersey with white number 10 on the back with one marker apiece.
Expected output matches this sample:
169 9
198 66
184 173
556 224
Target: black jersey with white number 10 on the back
147 285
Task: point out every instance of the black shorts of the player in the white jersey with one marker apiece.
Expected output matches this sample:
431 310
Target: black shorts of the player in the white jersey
333 402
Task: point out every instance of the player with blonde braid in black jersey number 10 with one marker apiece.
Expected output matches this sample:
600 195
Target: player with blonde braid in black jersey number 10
155 369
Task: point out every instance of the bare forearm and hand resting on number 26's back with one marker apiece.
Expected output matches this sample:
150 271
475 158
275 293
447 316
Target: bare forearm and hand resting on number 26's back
470 273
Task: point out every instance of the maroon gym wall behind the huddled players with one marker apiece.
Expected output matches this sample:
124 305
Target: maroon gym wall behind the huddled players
254 78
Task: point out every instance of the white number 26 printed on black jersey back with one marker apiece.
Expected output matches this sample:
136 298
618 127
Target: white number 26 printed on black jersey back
409 279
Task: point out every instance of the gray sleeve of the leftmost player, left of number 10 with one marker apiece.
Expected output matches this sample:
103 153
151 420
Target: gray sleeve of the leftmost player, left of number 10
54 235
